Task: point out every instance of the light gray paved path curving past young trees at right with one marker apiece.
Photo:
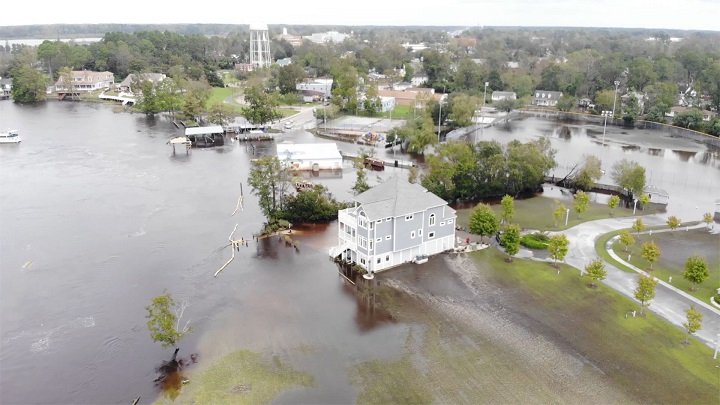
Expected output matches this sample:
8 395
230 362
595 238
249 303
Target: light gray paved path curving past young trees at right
669 303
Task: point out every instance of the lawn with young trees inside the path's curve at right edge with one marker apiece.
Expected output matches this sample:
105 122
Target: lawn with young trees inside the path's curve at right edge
677 247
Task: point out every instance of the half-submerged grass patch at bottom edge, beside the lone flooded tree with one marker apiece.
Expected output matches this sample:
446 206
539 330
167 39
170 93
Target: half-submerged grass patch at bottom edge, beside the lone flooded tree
242 377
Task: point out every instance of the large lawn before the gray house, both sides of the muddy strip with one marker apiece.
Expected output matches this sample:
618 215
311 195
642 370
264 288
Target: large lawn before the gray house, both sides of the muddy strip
446 361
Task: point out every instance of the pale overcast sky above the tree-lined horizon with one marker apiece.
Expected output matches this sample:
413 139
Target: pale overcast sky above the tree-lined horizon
674 14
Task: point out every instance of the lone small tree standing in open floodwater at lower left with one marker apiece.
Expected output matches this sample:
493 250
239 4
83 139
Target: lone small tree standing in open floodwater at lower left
164 316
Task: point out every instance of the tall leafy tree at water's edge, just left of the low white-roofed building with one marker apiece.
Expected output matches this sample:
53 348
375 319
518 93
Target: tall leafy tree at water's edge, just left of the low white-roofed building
269 181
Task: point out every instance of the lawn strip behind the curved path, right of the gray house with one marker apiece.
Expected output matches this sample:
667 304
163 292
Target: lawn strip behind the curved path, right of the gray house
537 213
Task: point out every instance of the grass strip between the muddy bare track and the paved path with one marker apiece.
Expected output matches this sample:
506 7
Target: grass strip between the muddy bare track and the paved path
643 354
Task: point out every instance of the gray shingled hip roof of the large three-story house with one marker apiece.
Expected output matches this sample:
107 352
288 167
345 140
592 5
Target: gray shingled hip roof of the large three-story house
397 197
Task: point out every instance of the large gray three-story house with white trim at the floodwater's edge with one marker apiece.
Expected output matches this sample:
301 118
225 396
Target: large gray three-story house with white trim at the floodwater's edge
392 223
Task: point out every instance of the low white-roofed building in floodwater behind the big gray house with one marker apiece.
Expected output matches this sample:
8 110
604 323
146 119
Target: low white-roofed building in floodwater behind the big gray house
310 156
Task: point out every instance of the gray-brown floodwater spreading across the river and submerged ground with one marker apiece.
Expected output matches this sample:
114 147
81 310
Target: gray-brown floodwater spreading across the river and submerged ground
98 216
